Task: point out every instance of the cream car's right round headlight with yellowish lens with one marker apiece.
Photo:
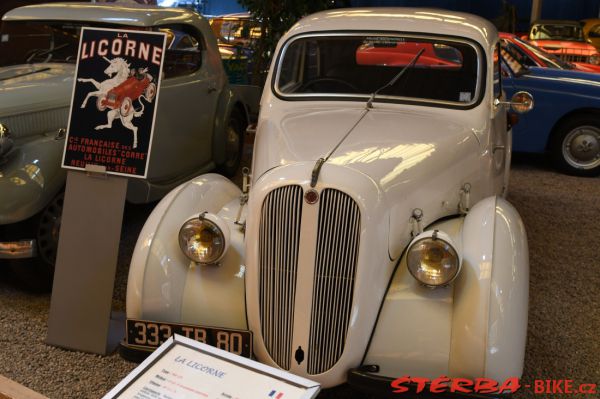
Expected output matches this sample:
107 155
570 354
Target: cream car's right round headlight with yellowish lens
432 259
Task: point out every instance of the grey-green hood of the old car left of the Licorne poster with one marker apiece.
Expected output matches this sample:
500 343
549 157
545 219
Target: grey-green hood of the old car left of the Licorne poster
35 87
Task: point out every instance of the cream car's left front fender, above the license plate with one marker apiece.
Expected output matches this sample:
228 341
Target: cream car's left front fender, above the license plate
165 285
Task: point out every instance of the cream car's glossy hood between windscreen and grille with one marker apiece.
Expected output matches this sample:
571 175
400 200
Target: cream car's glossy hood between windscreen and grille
386 144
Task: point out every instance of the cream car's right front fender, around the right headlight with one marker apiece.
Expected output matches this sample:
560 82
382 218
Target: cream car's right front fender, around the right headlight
476 327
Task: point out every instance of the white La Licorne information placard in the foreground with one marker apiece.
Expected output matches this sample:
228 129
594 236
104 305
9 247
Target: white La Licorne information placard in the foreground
184 369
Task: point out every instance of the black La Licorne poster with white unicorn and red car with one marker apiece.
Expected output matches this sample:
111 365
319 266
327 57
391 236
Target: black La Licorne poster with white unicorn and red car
113 108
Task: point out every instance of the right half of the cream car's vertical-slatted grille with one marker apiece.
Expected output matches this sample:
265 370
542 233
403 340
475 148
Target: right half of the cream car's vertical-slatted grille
335 269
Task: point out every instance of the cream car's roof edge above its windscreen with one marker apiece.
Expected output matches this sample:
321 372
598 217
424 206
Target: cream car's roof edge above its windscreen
400 19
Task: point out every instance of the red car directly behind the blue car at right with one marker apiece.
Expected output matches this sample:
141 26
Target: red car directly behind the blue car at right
531 55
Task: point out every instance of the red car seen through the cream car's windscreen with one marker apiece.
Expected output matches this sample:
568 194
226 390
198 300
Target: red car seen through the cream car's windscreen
401 53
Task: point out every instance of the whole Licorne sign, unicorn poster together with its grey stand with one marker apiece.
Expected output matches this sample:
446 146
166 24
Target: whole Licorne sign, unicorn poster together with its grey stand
109 136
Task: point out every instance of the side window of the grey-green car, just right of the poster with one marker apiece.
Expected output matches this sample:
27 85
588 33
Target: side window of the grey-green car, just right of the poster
184 51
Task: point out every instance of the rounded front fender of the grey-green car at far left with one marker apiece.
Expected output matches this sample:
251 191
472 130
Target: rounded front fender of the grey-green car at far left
30 178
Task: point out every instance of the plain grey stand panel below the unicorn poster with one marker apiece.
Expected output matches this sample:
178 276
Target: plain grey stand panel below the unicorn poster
86 262
